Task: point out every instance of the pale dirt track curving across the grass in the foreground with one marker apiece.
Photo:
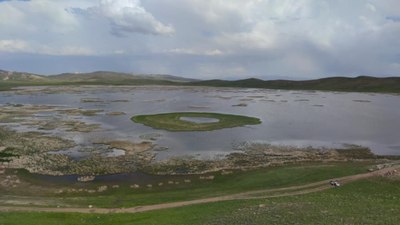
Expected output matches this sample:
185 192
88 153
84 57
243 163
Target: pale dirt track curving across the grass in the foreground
268 193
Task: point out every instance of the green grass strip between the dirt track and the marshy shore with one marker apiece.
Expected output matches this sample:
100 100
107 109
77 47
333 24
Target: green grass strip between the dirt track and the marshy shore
240 181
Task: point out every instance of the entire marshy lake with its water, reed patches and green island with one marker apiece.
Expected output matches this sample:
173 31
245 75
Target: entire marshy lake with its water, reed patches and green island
87 130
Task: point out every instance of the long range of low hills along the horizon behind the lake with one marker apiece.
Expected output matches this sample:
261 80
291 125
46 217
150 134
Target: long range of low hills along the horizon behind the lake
358 84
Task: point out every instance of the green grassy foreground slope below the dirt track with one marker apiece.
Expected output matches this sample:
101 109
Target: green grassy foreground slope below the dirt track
374 201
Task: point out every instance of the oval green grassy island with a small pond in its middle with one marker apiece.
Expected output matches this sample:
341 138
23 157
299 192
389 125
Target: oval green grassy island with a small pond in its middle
172 121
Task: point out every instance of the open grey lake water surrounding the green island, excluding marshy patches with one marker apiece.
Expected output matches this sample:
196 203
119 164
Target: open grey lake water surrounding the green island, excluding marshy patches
299 118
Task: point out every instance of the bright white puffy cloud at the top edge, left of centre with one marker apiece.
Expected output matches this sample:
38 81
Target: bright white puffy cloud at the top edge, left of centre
128 16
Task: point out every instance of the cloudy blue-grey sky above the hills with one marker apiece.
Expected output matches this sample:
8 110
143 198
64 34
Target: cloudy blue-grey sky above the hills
205 39
